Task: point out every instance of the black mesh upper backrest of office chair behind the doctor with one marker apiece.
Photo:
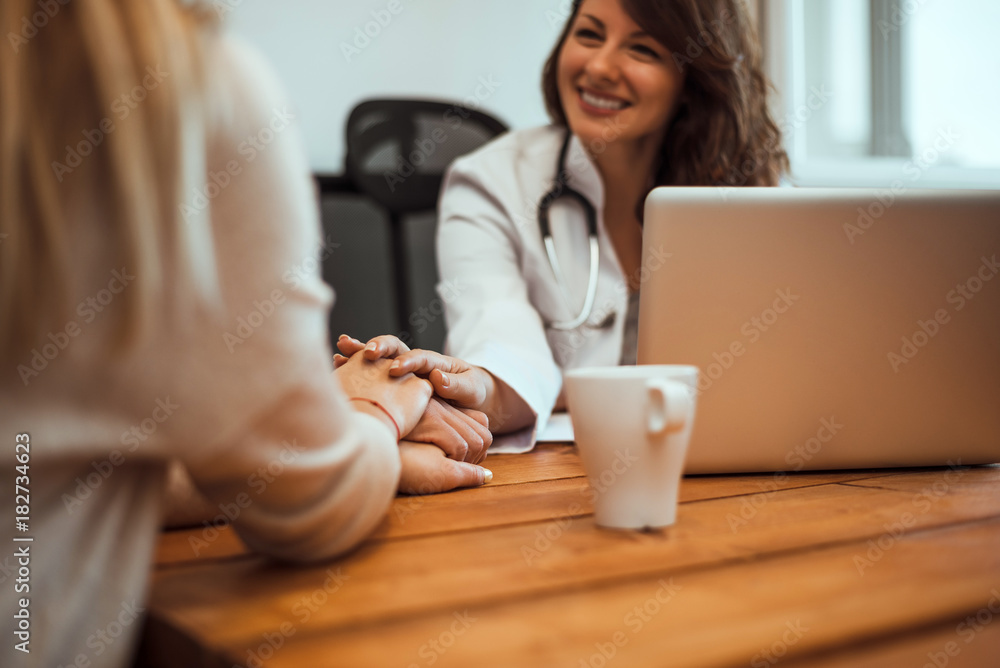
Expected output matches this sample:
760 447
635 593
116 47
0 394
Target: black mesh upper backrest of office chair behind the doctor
398 150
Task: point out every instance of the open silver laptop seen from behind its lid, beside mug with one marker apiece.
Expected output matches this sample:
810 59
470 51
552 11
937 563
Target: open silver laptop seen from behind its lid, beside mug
834 328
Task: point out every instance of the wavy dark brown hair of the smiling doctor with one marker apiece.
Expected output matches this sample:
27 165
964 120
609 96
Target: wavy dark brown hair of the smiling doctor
722 132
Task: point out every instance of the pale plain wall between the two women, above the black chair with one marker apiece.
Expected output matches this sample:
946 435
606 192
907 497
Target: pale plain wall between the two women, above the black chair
421 48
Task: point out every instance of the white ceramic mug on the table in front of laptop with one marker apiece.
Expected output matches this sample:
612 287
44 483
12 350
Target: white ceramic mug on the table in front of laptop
632 426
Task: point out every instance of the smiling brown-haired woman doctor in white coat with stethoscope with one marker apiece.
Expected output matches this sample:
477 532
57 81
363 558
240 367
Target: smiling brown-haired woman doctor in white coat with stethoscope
642 93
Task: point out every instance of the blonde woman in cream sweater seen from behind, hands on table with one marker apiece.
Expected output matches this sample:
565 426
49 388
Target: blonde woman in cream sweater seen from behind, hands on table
158 301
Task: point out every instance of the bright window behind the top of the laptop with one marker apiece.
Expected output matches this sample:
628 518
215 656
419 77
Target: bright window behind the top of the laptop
873 91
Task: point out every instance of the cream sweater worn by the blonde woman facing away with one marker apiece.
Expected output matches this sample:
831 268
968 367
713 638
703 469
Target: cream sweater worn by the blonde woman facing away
249 405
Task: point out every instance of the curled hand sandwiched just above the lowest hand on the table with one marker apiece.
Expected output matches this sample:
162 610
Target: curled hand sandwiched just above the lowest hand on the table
462 433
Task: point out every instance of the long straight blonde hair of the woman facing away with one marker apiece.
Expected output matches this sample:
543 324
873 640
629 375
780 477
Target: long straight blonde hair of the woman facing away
119 84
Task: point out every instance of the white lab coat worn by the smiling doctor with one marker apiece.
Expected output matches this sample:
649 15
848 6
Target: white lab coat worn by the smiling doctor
496 282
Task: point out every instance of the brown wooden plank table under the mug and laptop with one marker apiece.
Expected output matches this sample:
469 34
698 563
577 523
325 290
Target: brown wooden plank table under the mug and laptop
874 568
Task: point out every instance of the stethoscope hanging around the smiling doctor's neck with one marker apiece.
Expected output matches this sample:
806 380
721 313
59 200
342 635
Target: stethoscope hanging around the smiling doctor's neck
561 188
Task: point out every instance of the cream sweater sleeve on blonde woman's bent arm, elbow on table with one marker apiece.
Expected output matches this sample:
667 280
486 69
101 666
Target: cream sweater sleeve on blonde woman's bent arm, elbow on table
300 474
